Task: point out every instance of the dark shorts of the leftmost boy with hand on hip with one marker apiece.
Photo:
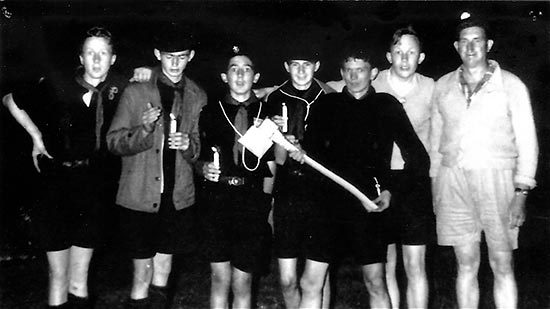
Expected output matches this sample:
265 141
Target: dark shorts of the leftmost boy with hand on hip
70 210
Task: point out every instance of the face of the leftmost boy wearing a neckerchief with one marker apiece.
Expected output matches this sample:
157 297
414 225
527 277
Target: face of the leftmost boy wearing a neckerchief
96 57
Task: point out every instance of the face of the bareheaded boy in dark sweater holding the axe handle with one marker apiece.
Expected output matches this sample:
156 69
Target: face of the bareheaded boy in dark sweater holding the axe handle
358 75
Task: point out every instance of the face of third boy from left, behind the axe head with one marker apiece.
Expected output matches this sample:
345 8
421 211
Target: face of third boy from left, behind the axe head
240 75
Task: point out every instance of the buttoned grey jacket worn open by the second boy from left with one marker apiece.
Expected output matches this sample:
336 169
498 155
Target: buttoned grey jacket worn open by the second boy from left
141 180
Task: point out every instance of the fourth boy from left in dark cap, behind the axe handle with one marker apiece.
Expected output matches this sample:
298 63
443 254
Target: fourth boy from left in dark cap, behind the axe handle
294 187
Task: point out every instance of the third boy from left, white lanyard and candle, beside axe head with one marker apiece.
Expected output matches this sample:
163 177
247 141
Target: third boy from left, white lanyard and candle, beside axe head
237 188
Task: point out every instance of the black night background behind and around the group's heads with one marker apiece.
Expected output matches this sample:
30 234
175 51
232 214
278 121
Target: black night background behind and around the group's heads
40 36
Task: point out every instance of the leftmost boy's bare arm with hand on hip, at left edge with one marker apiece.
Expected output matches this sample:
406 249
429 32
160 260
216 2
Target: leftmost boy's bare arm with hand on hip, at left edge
26 122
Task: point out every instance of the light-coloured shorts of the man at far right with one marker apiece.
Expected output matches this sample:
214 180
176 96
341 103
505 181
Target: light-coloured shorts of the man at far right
468 202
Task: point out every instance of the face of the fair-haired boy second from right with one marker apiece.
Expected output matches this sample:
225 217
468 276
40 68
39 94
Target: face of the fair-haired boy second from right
405 56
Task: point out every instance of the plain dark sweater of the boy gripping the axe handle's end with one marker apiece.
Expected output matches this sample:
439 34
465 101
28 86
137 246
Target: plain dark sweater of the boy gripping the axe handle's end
354 138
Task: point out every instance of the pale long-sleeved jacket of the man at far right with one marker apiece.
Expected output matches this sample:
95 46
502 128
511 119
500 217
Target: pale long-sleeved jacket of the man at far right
497 131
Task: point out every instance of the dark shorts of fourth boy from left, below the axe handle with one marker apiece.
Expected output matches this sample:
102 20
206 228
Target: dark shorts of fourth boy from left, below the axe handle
295 201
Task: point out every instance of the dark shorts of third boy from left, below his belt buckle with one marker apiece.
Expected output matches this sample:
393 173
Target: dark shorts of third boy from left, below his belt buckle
235 225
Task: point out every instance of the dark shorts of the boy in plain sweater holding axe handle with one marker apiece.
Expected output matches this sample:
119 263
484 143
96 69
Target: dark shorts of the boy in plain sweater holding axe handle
359 232
